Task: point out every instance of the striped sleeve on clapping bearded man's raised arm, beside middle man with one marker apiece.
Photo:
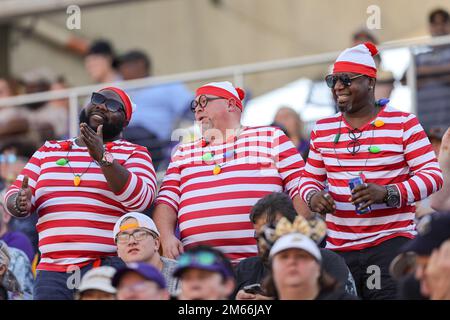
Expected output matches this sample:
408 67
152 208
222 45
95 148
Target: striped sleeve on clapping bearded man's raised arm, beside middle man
139 191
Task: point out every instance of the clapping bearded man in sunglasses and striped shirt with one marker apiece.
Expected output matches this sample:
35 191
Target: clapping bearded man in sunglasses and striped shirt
79 188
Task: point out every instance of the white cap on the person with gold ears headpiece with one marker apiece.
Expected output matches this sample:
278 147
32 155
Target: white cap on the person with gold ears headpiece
296 241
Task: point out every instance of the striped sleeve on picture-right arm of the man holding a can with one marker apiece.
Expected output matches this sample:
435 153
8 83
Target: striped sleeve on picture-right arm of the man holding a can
426 176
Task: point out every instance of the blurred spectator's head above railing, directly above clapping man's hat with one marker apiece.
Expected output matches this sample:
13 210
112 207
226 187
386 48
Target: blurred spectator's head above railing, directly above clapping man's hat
100 62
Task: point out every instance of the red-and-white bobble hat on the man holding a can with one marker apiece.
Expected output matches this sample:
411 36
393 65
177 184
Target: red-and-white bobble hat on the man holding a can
358 59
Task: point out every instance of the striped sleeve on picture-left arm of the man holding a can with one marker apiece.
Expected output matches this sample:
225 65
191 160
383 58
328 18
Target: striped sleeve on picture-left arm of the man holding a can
314 175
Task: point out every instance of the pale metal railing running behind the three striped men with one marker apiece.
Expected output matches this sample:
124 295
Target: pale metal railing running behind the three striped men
236 72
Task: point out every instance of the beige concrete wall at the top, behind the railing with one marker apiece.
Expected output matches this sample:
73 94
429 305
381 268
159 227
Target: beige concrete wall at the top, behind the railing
187 35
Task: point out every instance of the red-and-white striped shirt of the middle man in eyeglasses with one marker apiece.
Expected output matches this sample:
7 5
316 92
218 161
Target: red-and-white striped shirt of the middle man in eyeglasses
214 209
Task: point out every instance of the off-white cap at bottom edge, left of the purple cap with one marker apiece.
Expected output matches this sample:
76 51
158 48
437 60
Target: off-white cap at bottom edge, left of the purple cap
98 279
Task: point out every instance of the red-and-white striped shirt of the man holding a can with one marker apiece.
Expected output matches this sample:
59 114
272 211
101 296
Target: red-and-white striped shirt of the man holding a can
406 160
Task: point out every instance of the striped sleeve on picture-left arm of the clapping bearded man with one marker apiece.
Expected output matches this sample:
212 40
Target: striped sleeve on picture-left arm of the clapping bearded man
32 169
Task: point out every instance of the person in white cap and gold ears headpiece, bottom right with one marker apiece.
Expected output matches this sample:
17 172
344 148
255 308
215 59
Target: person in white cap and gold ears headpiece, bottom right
297 274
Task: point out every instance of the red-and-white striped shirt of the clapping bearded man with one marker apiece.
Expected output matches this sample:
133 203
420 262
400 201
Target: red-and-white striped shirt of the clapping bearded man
76 222
